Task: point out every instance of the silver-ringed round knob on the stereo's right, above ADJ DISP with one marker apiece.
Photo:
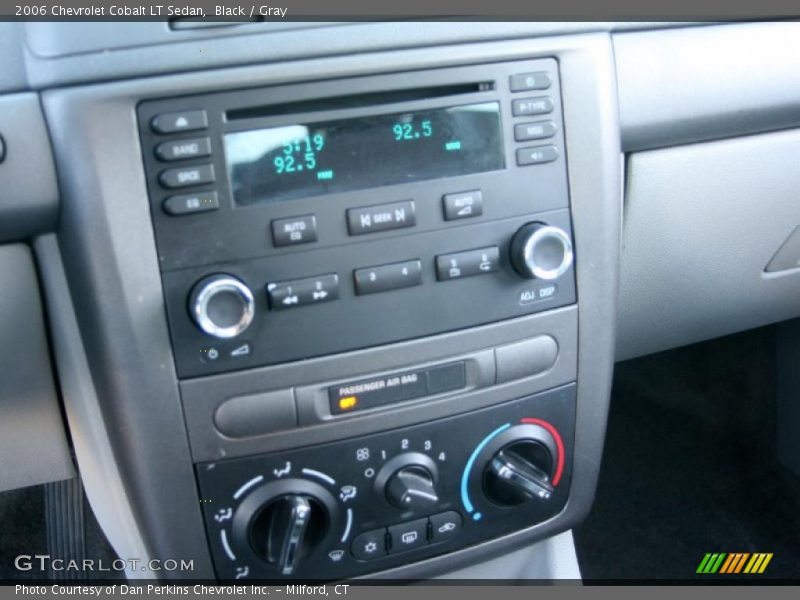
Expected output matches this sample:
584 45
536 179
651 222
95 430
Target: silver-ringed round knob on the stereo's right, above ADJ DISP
540 251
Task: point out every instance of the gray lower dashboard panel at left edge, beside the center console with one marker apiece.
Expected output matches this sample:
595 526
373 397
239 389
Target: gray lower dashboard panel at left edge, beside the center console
33 445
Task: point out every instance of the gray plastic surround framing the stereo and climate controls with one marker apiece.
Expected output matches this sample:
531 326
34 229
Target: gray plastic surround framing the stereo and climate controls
110 259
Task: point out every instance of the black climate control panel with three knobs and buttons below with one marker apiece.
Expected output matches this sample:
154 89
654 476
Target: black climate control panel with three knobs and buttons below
368 504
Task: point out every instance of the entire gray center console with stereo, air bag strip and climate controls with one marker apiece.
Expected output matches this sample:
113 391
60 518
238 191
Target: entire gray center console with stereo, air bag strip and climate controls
372 304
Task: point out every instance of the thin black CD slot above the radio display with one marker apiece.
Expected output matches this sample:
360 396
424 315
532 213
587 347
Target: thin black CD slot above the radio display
359 100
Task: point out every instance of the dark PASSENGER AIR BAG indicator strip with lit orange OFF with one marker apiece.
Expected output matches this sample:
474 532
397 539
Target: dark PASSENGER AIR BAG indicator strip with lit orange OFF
396 387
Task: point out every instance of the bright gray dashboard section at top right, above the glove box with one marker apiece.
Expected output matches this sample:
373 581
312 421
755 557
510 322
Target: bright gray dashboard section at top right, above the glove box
704 83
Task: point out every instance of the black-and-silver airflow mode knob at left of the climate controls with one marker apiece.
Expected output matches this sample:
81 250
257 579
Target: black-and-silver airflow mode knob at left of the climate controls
285 521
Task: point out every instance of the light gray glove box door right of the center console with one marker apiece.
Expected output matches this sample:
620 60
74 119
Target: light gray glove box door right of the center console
701 224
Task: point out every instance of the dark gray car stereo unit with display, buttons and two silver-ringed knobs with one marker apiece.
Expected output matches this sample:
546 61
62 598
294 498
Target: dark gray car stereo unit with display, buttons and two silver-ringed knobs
292 224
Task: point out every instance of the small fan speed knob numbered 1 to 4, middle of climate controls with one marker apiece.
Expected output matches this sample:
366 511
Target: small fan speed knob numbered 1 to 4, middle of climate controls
408 482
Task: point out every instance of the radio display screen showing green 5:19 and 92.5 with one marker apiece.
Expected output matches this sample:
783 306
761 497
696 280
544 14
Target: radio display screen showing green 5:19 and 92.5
298 161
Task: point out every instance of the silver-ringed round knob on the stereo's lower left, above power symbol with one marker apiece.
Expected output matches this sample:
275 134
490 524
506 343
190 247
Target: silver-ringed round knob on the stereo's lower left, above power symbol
221 306
